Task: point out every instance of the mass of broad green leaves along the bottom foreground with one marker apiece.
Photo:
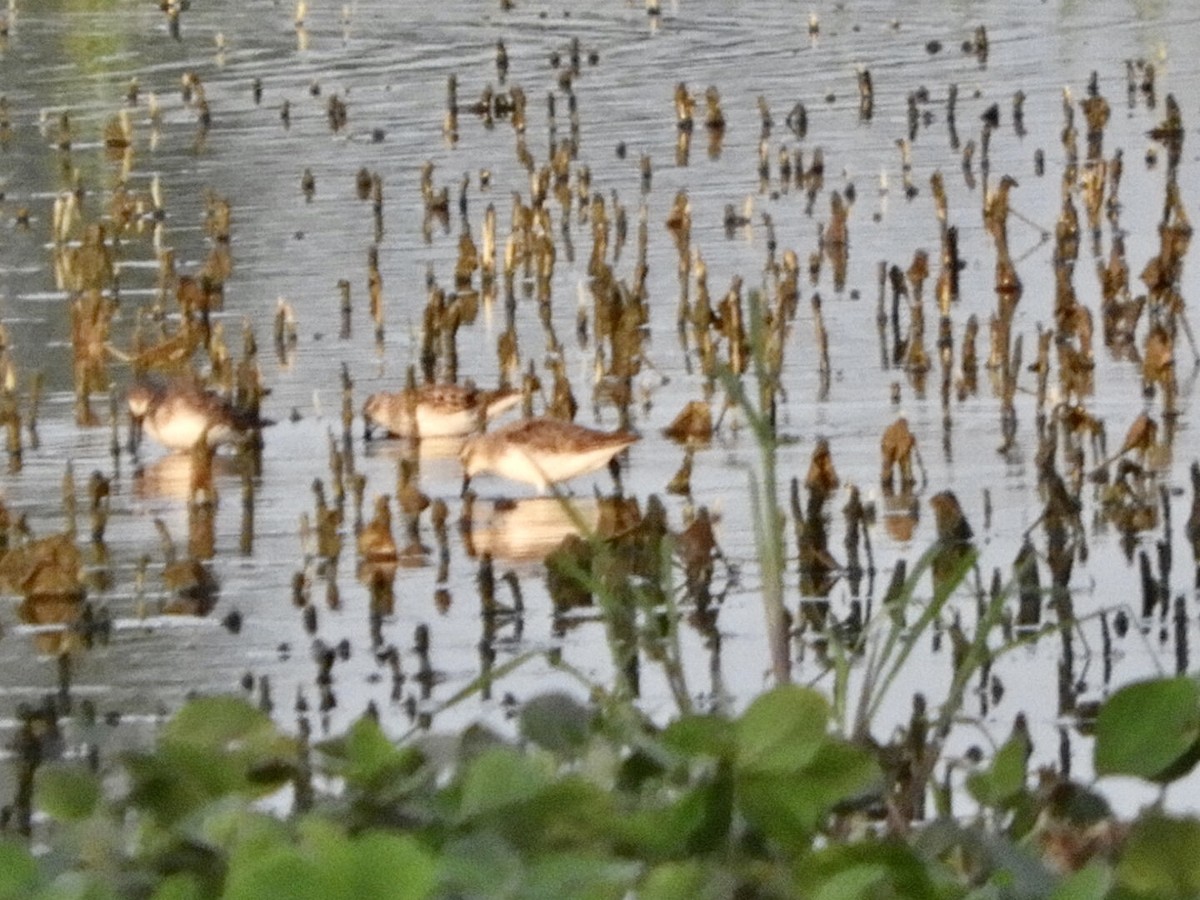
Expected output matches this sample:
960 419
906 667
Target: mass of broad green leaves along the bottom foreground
599 805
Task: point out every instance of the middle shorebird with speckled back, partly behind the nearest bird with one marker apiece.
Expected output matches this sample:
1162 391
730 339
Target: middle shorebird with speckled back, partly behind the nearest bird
436 411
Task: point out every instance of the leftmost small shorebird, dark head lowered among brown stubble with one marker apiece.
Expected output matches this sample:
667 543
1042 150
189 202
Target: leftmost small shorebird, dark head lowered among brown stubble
178 415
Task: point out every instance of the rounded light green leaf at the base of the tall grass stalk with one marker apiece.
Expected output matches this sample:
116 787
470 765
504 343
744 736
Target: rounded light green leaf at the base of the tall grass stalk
782 731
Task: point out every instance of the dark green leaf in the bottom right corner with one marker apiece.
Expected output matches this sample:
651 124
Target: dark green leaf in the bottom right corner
1162 859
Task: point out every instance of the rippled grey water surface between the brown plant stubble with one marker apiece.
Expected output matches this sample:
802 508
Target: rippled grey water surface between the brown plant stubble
392 70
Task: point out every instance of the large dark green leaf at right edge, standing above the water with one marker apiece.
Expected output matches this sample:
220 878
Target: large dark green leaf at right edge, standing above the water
1150 730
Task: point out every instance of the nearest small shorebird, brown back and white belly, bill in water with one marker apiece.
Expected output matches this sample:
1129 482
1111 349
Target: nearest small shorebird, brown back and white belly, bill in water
542 452
